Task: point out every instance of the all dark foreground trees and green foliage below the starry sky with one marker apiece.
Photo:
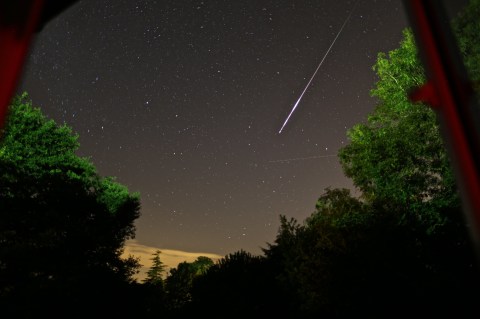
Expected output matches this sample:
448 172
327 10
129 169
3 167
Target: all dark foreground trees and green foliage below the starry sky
400 250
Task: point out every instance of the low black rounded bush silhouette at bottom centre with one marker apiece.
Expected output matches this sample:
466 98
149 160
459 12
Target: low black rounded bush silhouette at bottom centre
237 286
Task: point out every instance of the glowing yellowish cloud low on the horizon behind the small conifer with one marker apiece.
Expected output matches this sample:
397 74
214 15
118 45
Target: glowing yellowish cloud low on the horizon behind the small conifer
170 258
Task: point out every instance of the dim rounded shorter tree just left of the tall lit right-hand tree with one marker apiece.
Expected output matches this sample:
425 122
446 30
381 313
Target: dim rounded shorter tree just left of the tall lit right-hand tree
317 261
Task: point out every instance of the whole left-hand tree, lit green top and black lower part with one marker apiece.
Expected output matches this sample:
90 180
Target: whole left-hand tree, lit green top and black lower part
62 226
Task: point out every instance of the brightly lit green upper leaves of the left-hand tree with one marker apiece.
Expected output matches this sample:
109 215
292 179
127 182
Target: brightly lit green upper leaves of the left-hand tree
37 147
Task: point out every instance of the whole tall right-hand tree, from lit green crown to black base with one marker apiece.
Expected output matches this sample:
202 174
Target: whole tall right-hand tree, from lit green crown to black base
398 161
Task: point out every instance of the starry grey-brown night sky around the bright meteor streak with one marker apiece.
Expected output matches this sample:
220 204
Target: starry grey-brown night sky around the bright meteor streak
182 101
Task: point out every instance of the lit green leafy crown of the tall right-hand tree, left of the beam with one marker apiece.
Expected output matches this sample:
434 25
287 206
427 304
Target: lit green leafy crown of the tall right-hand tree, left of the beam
398 155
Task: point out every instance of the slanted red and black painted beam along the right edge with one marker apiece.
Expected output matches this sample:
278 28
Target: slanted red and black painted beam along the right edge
450 89
